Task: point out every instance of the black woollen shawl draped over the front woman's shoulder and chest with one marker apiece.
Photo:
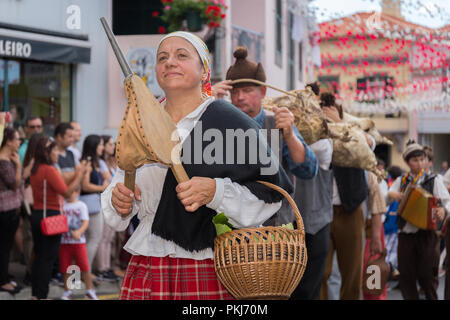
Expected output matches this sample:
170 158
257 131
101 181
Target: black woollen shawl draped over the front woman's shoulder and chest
195 231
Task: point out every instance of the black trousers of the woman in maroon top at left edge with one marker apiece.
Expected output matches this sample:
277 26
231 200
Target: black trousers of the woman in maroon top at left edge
9 221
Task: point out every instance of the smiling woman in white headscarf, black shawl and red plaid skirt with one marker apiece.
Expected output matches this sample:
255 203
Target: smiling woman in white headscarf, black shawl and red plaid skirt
172 248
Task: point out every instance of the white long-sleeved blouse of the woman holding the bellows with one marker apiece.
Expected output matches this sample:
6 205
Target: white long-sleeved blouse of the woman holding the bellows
242 208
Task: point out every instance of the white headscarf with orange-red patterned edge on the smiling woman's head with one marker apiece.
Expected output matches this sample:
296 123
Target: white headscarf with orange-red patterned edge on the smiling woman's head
202 51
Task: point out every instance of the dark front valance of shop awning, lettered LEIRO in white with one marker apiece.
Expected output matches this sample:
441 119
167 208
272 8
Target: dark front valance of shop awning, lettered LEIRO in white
44 51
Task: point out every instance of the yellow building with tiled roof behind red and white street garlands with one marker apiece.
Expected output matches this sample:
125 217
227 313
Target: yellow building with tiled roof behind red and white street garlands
376 64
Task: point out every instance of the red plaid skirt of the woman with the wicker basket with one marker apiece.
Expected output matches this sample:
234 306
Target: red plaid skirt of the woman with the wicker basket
154 278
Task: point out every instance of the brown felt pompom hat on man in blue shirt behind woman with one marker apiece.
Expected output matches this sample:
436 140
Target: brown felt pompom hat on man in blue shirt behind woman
245 69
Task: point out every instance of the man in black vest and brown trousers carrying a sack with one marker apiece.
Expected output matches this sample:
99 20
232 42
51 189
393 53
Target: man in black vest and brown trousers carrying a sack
350 190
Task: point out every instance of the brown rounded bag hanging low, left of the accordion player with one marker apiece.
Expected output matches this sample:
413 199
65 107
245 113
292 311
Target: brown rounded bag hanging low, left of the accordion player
376 275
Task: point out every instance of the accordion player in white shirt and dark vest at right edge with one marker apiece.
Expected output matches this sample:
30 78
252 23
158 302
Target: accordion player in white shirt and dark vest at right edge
418 249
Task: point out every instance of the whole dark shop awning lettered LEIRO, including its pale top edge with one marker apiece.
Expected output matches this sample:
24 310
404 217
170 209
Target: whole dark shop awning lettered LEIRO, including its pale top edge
27 45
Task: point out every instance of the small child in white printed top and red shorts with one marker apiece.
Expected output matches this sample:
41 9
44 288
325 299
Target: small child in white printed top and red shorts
73 245
